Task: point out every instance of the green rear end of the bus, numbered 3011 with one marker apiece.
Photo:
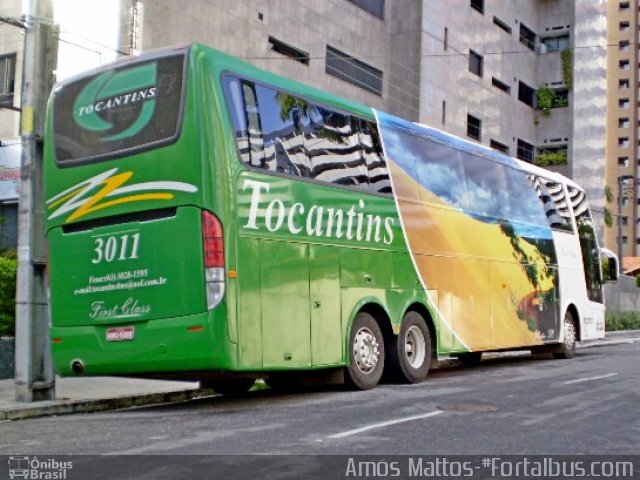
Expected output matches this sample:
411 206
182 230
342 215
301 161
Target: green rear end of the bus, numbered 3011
136 250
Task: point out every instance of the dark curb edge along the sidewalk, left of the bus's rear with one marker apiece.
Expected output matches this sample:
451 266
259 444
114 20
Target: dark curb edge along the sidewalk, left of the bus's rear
101 405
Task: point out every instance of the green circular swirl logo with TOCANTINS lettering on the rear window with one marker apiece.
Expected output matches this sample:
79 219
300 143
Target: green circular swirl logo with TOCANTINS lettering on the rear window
114 90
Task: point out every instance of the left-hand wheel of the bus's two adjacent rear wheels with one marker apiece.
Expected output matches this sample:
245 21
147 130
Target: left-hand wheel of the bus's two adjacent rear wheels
366 357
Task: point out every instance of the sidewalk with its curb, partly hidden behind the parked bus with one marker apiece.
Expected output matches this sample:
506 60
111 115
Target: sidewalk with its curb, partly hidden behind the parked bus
97 394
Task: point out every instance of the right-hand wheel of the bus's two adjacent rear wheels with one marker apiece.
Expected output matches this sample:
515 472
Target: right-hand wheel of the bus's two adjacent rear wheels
409 356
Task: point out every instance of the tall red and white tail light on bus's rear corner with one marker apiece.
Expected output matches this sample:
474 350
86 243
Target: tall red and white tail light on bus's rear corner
213 258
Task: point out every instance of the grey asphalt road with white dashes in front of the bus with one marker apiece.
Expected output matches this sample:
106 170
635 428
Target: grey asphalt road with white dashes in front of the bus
588 405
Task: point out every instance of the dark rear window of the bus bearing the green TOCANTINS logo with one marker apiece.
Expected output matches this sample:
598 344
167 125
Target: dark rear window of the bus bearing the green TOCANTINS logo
119 111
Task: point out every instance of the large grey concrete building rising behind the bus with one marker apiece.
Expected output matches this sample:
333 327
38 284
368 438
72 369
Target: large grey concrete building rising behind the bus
470 67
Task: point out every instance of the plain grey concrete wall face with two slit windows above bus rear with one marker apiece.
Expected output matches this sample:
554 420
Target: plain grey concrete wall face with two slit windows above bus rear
242 29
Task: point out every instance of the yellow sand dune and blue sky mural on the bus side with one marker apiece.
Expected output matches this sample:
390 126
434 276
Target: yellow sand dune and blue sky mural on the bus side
479 236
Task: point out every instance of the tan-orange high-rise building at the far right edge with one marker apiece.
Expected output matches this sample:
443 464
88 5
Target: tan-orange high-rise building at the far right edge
623 156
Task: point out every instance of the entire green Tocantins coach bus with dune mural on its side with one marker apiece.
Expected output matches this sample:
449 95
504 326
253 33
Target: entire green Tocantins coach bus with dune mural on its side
209 220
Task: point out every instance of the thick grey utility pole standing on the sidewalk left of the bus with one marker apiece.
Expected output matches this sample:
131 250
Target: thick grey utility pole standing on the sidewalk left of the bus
35 378
